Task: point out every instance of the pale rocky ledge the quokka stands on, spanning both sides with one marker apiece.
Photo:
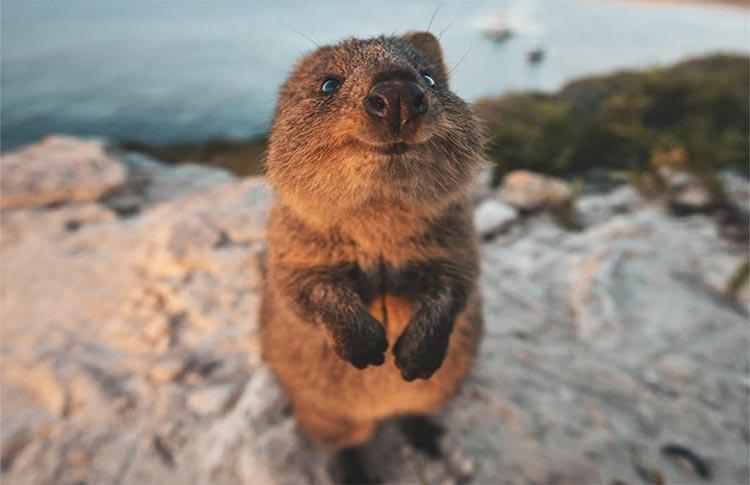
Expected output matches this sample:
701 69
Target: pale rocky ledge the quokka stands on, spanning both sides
613 353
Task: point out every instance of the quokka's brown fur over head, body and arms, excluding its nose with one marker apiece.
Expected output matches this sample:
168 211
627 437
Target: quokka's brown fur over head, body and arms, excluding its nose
371 308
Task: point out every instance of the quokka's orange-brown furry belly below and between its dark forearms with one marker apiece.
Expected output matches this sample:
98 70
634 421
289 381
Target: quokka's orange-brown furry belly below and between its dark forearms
313 375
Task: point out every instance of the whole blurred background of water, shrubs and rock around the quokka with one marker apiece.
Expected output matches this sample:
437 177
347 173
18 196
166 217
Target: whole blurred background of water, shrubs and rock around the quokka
613 215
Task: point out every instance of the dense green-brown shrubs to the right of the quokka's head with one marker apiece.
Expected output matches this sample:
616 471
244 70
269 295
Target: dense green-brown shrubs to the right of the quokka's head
693 115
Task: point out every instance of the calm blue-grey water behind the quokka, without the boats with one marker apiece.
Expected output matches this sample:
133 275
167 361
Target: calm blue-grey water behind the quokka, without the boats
165 72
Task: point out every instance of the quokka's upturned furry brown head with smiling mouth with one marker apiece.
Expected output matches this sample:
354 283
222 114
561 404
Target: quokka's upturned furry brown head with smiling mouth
372 120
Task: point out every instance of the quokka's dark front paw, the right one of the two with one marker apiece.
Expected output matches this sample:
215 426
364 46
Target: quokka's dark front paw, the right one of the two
420 350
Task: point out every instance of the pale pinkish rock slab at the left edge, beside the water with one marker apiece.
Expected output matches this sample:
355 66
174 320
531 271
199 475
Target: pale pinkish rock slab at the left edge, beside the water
60 169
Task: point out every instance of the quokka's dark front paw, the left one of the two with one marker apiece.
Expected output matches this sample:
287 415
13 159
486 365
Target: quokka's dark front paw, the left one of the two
360 341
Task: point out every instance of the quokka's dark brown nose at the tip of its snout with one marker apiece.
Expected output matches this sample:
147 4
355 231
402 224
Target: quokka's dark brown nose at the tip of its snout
397 102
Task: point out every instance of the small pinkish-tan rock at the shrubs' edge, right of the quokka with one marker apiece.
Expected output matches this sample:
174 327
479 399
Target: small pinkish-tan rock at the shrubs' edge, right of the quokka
528 191
